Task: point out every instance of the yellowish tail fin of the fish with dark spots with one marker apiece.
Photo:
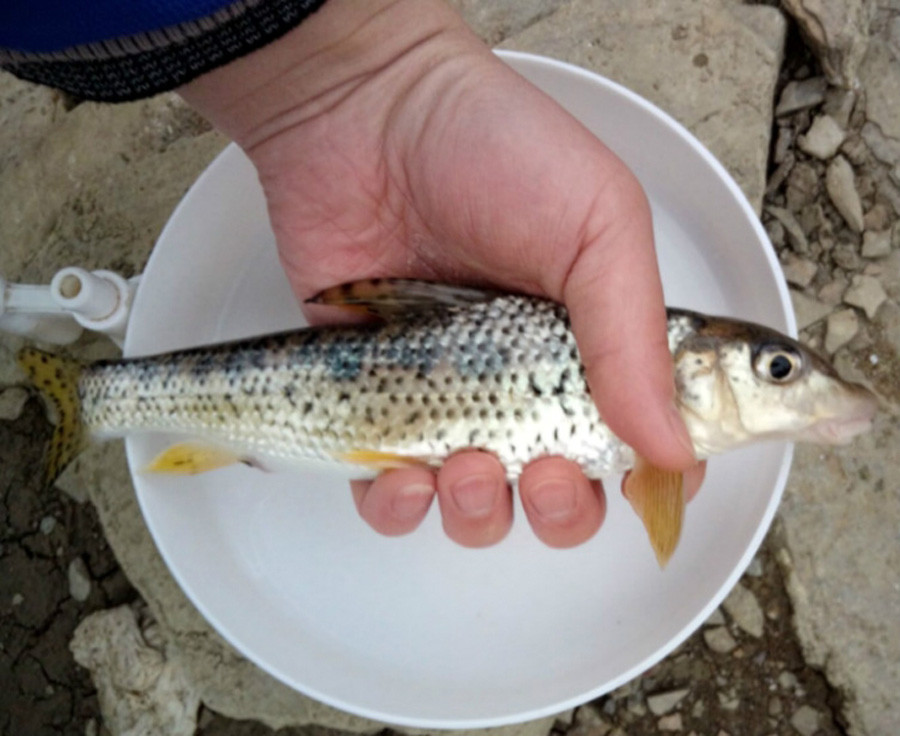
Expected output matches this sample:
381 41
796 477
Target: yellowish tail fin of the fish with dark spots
56 378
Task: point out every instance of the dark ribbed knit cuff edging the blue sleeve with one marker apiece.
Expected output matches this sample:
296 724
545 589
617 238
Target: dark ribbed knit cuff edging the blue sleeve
134 67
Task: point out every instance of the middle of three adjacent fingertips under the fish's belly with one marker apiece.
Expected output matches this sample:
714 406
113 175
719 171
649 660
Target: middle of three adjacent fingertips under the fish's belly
475 501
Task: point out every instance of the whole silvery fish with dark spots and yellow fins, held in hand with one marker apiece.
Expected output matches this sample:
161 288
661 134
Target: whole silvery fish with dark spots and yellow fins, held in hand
445 368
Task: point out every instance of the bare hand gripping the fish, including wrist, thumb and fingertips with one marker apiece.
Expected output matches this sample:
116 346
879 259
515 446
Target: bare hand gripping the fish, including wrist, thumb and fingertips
391 142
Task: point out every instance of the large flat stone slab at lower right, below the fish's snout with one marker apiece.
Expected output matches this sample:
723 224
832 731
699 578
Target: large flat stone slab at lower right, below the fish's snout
839 518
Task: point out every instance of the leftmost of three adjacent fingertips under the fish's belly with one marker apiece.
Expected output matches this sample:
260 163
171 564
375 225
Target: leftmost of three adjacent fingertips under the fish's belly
396 501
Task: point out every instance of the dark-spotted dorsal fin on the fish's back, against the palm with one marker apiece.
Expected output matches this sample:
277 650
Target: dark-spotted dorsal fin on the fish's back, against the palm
387 297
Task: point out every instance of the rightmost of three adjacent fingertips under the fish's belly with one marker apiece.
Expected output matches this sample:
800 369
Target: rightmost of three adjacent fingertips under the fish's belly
562 505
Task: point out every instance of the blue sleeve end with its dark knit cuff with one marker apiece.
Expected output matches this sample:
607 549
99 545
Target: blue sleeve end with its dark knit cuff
117 50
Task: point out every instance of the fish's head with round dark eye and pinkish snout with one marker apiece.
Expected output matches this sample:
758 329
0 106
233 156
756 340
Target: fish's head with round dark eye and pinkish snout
739 382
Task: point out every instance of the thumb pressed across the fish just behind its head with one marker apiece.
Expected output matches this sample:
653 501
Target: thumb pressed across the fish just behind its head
615 301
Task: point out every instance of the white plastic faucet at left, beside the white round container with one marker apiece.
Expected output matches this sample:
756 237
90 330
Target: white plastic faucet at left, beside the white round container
76 299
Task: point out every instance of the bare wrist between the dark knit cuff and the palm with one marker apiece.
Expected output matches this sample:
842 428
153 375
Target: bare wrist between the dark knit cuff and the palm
312 68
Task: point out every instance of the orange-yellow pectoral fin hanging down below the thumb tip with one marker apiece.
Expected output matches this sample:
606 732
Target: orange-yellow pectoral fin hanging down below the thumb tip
657 497
